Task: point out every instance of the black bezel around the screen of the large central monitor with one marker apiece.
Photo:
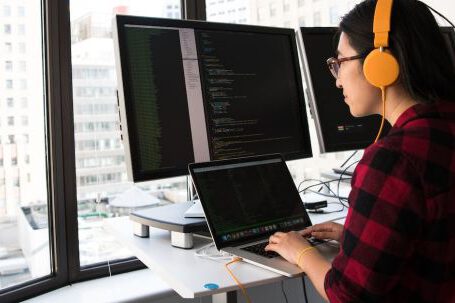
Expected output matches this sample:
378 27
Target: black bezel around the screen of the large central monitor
122 20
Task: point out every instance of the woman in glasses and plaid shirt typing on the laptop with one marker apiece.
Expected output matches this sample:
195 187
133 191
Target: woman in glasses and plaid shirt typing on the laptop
398 240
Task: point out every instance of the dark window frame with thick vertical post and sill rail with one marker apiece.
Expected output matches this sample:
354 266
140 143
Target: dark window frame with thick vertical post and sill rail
60 161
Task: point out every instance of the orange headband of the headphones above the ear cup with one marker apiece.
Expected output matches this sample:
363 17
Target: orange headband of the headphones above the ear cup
381 24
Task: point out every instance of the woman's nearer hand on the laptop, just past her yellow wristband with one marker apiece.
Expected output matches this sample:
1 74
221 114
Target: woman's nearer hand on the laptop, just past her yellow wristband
288 245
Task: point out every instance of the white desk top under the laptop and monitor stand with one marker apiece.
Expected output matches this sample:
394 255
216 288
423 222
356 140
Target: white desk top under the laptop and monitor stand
186 273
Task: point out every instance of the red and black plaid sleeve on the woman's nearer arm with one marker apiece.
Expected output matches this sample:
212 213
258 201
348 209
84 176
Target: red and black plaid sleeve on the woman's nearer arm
381 229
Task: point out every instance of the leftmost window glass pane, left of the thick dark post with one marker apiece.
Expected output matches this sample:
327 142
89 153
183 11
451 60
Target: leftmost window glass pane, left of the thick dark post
24 233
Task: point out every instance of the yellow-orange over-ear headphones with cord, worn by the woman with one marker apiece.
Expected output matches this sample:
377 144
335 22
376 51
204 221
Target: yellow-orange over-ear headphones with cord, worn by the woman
380 68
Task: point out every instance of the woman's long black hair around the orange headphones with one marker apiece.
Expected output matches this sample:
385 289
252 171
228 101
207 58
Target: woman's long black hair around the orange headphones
426 69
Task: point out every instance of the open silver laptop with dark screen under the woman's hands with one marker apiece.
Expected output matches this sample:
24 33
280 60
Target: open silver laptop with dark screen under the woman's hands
245 201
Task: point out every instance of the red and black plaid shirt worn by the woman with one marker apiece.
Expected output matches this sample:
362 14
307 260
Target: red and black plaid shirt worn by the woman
398 243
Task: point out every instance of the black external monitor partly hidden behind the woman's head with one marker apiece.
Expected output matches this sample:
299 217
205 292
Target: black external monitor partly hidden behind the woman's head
336 128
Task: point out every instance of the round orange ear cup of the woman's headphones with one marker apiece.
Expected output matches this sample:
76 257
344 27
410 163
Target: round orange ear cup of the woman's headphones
381 69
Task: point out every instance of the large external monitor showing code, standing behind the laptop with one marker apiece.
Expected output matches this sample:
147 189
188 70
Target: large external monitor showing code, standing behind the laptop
192 91
